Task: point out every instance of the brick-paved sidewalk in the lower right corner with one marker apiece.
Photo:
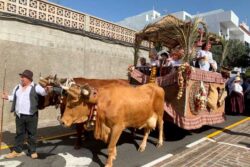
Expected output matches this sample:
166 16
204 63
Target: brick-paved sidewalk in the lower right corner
231 148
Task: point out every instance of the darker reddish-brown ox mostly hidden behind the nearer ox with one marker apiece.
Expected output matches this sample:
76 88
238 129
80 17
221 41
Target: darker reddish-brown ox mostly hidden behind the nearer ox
57 83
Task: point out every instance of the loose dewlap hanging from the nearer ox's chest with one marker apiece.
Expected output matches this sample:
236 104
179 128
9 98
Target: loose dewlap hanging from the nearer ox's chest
101 132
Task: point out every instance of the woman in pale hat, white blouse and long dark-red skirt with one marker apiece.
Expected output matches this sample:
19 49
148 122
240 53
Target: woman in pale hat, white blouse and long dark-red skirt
236 97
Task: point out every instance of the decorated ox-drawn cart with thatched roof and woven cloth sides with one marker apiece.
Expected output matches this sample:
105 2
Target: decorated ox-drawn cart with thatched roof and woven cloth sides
193 97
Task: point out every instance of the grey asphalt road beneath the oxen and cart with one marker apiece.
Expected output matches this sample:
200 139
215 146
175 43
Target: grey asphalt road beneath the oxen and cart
60 152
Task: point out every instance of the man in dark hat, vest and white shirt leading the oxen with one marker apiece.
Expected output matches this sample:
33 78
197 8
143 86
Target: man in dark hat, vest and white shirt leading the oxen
25 105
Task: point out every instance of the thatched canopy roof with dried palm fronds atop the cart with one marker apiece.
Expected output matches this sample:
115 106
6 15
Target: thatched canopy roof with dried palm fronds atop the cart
172 32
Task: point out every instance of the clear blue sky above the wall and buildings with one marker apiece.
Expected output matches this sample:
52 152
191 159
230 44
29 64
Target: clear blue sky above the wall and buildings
117 10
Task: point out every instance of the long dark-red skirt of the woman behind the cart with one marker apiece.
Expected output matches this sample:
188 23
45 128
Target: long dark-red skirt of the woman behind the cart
237 104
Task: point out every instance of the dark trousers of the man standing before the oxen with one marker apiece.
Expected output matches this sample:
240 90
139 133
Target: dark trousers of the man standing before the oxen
26 123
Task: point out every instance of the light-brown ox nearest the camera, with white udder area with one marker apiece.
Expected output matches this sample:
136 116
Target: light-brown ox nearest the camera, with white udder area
118 107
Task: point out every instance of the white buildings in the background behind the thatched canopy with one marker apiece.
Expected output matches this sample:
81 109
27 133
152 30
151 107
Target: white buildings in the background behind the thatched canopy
224 23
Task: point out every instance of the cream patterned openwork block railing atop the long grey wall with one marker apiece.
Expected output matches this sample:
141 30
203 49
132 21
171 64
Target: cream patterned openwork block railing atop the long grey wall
52 13
